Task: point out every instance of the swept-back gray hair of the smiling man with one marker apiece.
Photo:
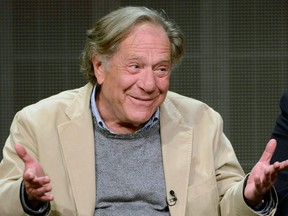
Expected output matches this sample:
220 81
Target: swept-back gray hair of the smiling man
104 37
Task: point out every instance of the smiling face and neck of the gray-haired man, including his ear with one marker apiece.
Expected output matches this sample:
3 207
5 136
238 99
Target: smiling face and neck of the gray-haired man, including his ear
136 80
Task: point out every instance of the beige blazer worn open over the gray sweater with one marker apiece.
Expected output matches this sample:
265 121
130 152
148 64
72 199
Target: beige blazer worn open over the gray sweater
199 162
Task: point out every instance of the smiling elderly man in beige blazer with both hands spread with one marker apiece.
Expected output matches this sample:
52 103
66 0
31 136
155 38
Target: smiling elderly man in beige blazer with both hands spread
123 144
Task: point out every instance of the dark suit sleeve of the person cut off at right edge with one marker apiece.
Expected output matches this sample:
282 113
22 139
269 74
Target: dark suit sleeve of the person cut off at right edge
280 133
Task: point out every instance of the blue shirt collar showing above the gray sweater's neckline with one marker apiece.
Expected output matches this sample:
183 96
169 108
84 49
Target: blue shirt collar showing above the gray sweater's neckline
152 121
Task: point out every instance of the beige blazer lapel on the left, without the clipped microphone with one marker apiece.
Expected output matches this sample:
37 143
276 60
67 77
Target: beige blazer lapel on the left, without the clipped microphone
77 141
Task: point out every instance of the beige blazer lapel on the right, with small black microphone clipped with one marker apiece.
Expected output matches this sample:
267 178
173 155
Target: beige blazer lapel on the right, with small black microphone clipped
176 149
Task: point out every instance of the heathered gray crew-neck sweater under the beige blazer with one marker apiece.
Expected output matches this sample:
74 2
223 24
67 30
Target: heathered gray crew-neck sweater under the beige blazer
129 173
